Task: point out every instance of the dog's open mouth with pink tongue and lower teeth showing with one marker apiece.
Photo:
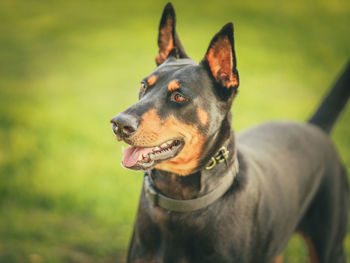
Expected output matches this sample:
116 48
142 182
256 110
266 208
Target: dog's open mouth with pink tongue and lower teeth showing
142 158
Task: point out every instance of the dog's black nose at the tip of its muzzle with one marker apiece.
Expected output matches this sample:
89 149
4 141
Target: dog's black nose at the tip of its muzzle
124 124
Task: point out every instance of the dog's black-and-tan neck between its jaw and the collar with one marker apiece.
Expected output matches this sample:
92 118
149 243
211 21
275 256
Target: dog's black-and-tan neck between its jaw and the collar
200 182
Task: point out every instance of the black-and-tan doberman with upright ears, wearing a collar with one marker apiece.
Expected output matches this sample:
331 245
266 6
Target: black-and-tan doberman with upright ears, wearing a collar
211 196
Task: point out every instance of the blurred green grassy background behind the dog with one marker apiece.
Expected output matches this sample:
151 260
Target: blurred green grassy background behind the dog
67 67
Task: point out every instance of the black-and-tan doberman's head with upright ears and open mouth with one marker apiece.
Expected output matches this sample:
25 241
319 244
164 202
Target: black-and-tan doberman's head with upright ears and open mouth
183 110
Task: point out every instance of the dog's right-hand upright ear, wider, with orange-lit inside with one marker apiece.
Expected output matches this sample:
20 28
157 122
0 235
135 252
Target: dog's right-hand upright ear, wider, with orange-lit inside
220 58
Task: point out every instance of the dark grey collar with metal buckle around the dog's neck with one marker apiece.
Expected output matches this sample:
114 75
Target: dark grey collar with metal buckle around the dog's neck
158 199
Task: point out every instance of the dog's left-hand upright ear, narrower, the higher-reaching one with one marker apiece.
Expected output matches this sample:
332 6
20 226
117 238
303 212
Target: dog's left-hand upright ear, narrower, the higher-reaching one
168 41
